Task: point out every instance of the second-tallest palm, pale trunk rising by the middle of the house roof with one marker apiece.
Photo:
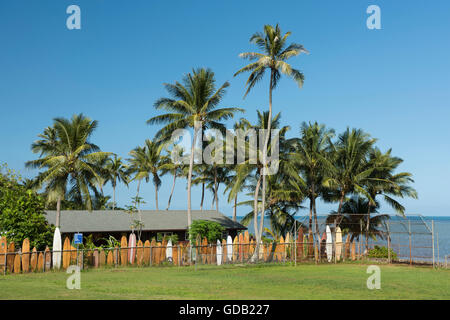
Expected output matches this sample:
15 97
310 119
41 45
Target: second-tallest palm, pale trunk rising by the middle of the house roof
193 104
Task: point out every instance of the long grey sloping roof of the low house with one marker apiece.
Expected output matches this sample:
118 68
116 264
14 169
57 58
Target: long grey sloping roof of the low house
119 220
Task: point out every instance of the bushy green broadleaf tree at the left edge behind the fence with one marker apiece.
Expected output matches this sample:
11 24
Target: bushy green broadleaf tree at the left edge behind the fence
22 212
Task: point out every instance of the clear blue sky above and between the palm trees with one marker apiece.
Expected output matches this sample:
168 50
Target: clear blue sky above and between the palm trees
393 83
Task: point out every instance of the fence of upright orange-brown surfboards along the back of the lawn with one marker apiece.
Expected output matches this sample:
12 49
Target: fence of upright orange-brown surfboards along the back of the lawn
23 260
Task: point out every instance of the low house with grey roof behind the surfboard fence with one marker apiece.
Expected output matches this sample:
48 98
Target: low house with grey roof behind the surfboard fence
155 223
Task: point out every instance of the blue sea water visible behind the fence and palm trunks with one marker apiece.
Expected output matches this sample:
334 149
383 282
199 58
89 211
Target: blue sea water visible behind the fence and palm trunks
421 238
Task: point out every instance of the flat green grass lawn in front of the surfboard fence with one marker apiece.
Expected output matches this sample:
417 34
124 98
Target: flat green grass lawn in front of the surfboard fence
342 281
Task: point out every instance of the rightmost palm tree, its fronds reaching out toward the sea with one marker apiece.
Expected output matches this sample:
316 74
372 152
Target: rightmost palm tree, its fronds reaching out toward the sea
383 181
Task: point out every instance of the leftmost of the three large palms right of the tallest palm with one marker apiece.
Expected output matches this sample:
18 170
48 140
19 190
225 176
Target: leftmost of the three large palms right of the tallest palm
312 147
